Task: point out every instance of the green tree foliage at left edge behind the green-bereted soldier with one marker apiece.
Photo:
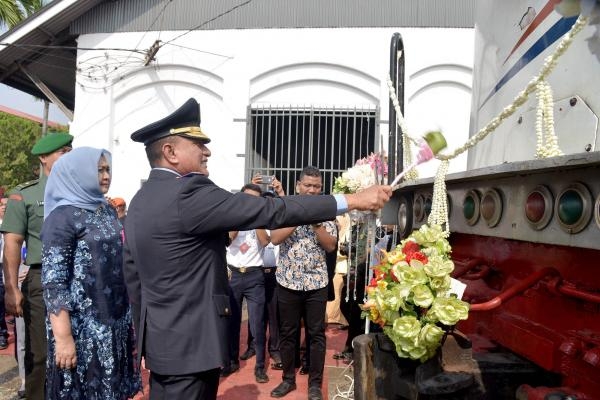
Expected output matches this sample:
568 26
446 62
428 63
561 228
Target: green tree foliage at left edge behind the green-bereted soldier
17 137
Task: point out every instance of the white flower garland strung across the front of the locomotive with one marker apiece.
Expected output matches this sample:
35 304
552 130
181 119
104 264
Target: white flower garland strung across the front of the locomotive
538 83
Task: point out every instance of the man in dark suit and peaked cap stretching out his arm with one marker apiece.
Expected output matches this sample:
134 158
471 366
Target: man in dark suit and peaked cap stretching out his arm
175 265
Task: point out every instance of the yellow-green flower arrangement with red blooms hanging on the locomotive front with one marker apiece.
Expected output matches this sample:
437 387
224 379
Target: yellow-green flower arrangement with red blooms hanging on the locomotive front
410 297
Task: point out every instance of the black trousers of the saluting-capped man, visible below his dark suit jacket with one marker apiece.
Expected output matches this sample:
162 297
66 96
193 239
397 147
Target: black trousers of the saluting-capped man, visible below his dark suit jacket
199 386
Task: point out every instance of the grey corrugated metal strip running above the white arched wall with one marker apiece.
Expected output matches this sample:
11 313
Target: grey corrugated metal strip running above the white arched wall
157 15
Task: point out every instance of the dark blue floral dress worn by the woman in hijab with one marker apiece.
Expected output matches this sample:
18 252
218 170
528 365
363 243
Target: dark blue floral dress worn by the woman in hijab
82 273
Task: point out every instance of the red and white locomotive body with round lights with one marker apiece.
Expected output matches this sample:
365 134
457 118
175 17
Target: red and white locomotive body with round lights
525 232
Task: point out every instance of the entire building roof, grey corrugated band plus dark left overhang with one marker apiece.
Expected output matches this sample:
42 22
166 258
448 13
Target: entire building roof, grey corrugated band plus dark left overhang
58 23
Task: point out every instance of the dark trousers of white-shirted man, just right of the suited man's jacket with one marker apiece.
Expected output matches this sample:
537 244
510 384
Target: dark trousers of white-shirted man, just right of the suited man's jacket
251 286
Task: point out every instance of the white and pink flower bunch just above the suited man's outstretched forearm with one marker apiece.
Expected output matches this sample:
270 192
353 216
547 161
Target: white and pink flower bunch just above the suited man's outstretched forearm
366 172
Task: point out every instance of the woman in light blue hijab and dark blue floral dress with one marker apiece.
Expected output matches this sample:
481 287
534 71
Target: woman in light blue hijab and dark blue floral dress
90 334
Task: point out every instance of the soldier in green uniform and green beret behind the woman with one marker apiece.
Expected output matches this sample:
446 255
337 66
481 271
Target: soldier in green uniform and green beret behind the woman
23 223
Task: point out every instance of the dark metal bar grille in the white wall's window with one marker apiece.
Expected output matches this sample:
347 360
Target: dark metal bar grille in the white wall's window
281 141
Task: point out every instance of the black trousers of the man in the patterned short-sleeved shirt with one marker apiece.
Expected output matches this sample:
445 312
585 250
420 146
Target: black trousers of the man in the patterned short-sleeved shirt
309 305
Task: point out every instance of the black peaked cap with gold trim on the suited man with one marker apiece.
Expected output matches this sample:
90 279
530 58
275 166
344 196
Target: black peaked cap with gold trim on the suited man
185 121
